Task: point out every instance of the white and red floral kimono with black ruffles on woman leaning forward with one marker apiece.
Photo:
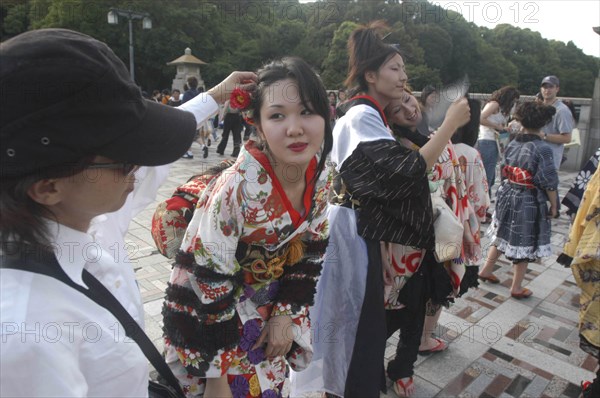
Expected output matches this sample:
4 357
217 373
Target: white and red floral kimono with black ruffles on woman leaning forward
247 255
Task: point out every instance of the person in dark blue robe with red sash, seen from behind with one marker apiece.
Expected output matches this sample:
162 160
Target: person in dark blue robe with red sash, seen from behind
521 222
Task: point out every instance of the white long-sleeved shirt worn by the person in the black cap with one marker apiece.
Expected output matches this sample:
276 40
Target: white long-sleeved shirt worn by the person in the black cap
55 341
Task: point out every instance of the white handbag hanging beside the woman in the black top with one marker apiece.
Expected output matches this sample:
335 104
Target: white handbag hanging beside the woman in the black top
448 230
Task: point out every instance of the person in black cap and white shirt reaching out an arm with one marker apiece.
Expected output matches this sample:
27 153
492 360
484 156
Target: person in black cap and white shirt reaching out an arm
70 159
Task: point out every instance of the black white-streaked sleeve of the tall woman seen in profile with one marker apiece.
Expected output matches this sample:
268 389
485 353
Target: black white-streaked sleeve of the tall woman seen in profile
390 183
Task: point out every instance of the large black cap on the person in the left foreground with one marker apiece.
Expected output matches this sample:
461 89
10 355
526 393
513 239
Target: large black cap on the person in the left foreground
66 96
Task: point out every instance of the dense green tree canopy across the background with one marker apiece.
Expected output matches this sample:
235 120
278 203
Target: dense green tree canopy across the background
439 46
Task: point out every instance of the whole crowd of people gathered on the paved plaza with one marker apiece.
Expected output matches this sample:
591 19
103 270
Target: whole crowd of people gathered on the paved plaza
343 208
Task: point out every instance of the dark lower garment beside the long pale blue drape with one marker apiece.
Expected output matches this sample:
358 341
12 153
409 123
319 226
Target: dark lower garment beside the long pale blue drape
366 364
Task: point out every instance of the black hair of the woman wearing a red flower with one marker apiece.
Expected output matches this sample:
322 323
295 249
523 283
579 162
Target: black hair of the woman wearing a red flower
311 90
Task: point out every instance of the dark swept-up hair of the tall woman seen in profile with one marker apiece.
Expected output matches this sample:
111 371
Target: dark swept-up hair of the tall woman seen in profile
367 53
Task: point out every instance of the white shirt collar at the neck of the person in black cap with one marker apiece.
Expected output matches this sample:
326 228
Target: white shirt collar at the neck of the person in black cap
72 249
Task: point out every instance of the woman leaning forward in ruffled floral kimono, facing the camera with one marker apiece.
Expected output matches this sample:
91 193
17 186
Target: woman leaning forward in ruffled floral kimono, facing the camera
236 311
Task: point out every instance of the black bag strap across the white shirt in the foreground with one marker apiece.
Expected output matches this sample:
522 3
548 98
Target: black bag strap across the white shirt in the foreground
98 293
